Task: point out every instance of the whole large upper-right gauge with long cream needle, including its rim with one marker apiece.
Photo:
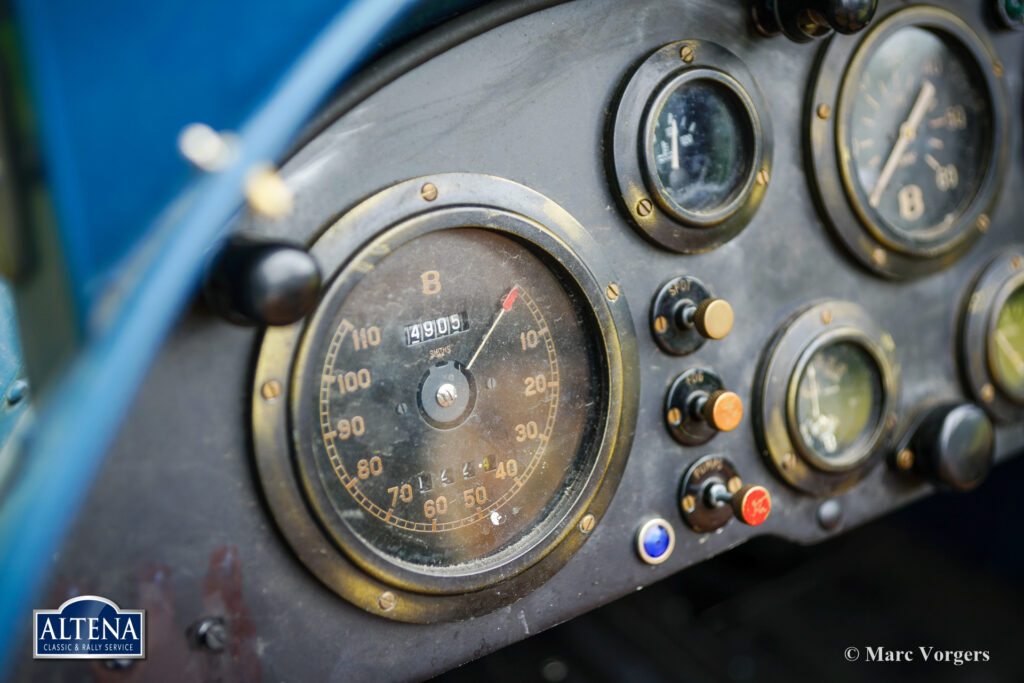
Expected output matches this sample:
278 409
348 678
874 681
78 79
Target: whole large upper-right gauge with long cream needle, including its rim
907 135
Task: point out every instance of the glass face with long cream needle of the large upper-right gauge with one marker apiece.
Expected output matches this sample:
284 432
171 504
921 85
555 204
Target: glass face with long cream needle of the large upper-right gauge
920 136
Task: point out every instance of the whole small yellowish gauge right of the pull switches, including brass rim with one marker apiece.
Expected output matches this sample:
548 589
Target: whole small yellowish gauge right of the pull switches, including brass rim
828 398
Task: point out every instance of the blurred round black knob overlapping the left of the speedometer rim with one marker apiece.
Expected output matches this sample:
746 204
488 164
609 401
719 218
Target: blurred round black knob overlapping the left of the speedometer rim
260 283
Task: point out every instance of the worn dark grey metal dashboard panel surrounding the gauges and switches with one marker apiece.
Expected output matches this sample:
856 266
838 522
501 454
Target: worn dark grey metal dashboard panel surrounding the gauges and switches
533 102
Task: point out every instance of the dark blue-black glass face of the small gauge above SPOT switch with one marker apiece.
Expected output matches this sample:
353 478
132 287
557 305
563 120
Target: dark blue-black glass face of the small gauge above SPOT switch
703 147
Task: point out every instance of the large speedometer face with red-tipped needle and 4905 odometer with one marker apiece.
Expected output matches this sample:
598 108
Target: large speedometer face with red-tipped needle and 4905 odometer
461 402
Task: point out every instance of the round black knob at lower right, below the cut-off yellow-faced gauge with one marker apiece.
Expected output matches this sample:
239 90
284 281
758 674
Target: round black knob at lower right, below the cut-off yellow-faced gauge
955 446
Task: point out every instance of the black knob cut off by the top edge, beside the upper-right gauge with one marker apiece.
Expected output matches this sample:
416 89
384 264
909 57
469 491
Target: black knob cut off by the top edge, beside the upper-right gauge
802 21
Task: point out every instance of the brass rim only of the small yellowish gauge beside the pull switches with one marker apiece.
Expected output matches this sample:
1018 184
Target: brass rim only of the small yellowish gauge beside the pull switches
807 332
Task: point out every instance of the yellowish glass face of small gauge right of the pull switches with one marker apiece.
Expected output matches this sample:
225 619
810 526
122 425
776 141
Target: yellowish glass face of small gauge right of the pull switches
839 401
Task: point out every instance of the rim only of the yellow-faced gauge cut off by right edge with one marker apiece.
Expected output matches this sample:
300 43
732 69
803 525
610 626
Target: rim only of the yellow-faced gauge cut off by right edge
1001 278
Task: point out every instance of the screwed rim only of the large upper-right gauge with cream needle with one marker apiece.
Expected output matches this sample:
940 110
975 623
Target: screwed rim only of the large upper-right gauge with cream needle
879 248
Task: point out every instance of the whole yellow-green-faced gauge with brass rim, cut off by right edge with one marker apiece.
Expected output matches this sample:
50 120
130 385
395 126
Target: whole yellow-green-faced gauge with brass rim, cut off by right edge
992 338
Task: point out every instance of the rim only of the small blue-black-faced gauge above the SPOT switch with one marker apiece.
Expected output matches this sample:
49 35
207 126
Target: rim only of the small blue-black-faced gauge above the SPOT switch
660 220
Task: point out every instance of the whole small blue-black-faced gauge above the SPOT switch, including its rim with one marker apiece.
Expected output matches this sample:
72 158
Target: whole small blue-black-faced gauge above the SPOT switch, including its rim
692 147
